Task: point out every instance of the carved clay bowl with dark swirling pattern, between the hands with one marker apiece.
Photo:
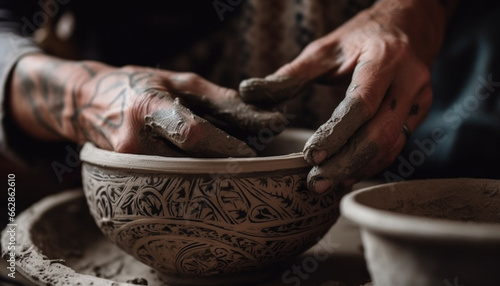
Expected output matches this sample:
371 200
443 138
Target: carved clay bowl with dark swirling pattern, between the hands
209 221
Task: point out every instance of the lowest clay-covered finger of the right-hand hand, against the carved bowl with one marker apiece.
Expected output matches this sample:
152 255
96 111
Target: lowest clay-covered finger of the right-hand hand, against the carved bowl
375 146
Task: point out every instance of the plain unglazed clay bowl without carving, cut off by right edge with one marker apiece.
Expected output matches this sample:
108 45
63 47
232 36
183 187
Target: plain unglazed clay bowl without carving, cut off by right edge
430 232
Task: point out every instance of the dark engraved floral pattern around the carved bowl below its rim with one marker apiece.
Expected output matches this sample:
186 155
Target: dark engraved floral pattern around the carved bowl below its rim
205 225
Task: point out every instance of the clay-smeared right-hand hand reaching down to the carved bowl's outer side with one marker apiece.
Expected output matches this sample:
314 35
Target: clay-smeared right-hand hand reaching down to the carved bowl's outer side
387 50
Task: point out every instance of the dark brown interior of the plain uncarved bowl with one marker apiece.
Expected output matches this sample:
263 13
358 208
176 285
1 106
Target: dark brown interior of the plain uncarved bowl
463 200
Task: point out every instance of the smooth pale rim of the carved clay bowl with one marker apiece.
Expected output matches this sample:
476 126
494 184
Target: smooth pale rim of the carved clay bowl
94 155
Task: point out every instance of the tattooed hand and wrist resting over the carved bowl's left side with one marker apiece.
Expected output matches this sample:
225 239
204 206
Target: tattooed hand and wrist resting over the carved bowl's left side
130 109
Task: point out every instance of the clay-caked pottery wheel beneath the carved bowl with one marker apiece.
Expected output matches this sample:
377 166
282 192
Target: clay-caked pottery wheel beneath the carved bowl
59 244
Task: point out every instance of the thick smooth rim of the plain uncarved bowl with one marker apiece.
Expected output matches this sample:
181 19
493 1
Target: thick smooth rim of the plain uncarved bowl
416 227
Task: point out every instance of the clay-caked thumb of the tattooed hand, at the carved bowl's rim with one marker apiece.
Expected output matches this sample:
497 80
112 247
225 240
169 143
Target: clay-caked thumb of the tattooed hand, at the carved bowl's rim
178 126
